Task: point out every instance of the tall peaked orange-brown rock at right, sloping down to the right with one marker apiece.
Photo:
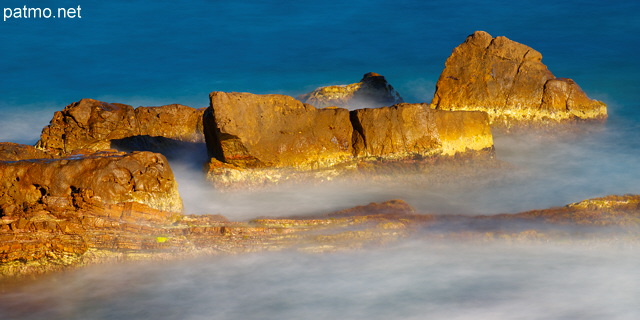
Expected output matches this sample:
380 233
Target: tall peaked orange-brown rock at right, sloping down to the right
507 80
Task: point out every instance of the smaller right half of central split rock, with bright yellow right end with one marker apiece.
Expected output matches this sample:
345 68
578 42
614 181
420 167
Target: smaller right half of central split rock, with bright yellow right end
415 131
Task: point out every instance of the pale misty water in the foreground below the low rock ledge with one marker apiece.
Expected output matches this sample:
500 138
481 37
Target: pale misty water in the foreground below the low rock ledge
414 280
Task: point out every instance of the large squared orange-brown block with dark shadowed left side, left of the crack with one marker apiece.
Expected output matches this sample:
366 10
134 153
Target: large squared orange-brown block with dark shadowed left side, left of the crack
253 131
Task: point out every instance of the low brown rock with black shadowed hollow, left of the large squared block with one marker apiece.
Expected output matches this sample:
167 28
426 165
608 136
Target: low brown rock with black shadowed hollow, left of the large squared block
96 125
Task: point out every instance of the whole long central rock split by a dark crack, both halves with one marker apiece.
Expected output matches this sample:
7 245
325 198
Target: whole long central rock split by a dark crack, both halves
261 139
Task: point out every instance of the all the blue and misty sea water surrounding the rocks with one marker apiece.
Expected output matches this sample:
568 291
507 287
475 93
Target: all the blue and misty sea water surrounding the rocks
151 53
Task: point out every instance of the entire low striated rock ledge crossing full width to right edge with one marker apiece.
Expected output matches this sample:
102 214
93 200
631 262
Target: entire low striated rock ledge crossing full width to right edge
54 240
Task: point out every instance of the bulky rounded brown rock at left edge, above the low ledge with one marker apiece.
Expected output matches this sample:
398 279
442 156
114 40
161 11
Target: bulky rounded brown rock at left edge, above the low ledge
101 178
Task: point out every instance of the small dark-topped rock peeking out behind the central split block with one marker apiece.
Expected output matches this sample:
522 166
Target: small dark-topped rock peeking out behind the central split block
371 92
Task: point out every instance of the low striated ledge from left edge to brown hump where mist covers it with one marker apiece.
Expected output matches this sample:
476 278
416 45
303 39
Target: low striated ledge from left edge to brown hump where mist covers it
131 231
